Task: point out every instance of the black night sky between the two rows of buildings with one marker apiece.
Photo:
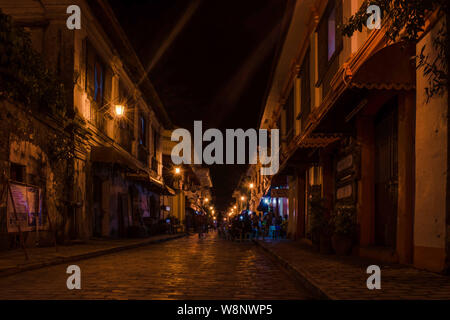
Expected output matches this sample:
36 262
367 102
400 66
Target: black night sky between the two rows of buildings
209 60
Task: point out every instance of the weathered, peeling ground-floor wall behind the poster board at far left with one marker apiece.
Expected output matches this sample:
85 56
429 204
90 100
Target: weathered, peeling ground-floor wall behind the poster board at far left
30 142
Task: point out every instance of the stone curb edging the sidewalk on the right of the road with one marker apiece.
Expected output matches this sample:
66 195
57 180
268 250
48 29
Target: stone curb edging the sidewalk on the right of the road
300 275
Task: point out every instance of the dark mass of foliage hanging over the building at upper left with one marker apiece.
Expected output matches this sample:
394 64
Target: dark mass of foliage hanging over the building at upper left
24 76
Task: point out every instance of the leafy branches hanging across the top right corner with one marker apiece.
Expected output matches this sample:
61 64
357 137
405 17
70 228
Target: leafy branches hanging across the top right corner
404 20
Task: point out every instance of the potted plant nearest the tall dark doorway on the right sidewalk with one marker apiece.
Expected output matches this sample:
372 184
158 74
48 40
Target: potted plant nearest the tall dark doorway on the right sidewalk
344 228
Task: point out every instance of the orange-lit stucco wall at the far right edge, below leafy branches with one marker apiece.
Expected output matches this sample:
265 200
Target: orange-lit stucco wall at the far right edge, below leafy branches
431 171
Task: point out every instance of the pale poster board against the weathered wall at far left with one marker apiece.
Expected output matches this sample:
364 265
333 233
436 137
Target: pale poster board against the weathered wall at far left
28 204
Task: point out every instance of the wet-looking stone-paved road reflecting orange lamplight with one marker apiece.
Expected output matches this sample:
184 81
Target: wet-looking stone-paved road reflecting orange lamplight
186 268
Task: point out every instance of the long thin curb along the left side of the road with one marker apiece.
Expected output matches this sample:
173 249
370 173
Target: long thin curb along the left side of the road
84 256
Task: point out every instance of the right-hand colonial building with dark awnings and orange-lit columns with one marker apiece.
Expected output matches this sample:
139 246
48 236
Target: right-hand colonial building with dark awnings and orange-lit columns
359 131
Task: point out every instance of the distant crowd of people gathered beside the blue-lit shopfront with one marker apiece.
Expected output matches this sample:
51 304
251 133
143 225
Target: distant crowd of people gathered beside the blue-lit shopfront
252 226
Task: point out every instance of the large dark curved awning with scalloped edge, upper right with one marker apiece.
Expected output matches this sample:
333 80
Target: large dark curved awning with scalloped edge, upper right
390 68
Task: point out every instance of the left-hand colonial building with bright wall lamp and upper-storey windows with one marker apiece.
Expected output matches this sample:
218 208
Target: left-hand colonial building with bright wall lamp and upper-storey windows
109 180
